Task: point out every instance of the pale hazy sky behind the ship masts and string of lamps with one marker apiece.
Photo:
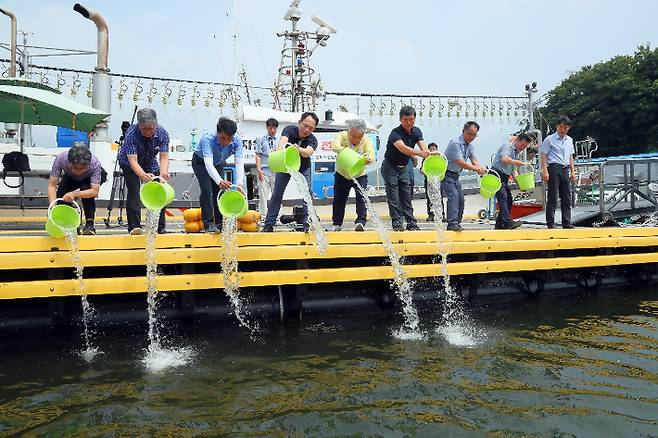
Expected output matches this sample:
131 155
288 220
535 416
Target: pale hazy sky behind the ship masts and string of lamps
437 47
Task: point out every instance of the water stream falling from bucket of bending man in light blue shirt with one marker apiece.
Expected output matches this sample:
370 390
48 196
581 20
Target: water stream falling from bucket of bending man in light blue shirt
230 272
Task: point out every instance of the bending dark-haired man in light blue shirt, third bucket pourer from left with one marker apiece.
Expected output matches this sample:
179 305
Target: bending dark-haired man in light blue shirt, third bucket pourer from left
208 162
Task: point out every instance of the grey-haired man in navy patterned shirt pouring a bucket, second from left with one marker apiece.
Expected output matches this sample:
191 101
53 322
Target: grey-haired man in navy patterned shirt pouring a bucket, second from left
137 158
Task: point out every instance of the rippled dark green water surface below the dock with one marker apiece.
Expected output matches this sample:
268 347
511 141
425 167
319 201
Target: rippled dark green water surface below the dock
564 365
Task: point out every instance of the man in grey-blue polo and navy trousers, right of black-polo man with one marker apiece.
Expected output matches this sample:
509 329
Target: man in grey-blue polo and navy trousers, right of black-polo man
458 151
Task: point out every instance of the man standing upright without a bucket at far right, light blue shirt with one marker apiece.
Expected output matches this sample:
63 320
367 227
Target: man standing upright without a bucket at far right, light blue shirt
557 165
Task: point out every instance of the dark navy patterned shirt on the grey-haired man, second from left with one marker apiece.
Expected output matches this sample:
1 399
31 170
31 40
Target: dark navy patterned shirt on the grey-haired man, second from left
146 149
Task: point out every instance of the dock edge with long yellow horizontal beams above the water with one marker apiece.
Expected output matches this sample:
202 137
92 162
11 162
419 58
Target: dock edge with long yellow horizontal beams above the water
284 269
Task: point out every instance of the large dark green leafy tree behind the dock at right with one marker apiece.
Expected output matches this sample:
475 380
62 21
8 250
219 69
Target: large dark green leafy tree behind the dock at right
615 102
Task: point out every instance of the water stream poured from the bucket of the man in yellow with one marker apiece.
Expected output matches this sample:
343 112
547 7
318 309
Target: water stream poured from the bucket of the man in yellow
403 287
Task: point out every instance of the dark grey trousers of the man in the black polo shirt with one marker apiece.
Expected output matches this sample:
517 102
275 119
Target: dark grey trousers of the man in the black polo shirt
398 194
